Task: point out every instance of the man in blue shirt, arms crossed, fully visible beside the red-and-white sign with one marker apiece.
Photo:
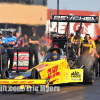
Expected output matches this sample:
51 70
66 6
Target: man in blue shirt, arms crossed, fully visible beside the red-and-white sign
10 50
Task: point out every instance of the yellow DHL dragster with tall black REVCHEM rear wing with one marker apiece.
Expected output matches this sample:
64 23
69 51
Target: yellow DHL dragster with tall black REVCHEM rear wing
60 65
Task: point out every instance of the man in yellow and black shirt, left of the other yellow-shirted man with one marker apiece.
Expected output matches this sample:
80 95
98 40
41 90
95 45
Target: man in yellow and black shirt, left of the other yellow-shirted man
75 41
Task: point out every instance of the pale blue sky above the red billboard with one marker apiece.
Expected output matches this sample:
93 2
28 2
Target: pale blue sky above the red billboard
86 5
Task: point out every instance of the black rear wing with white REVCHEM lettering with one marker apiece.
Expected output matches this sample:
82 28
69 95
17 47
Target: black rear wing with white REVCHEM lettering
72 18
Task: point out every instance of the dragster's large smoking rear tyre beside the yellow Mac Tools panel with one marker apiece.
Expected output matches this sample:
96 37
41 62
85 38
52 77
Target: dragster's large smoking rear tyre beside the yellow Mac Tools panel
89 72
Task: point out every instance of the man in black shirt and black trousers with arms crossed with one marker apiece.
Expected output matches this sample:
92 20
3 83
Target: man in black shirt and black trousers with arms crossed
33 42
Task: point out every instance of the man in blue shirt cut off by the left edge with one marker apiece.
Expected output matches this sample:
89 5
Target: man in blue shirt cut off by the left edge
3 54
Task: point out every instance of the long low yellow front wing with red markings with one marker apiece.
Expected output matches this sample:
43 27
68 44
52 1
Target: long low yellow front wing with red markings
22 82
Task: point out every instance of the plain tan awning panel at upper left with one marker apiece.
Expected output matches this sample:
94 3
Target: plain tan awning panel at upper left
23 14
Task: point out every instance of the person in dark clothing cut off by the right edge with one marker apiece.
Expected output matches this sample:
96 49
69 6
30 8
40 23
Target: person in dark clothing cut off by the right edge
97 54
